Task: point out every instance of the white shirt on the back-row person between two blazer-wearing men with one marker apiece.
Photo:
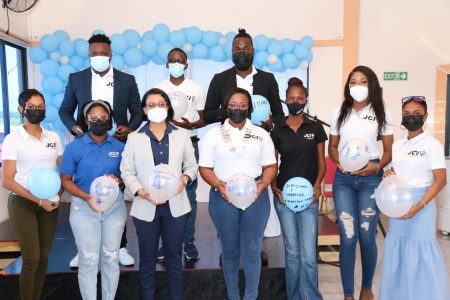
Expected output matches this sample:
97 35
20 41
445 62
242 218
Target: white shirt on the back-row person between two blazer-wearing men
196 96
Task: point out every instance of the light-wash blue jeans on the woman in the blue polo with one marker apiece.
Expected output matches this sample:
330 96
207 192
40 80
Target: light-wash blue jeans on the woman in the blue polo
97 237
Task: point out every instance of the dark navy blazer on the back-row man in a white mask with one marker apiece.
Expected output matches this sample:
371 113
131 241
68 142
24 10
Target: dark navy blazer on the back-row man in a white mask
126 97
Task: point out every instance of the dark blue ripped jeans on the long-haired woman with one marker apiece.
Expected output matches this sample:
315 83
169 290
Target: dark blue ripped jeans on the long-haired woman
357 216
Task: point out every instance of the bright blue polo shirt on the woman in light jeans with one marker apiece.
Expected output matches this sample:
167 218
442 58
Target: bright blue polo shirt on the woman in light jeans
86 160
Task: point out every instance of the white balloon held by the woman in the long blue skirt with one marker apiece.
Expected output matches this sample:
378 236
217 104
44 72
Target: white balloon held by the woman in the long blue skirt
393 197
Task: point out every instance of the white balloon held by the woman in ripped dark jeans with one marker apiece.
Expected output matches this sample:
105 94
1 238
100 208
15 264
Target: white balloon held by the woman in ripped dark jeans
354 154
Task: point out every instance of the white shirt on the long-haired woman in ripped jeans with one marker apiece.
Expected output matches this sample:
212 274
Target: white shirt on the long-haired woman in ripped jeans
362 124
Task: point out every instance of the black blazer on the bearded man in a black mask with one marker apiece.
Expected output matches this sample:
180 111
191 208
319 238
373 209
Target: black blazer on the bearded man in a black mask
264 84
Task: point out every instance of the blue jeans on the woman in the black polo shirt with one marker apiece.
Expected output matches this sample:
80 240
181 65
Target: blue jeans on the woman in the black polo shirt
300 238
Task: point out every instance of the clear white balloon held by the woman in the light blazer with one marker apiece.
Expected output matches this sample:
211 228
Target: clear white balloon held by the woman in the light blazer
163 182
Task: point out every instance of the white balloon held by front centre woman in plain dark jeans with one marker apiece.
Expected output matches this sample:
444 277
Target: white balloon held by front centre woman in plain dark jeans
241 190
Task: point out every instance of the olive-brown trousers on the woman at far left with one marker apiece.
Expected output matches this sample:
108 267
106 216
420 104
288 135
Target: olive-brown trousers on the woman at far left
34 229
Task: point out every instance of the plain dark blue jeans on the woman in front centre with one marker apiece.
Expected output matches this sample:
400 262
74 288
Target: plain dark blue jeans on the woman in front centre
240 232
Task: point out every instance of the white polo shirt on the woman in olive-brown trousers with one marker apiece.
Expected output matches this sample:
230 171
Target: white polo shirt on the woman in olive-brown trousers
31 153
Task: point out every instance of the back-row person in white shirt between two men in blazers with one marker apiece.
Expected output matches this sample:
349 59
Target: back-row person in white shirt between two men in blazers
192 120
